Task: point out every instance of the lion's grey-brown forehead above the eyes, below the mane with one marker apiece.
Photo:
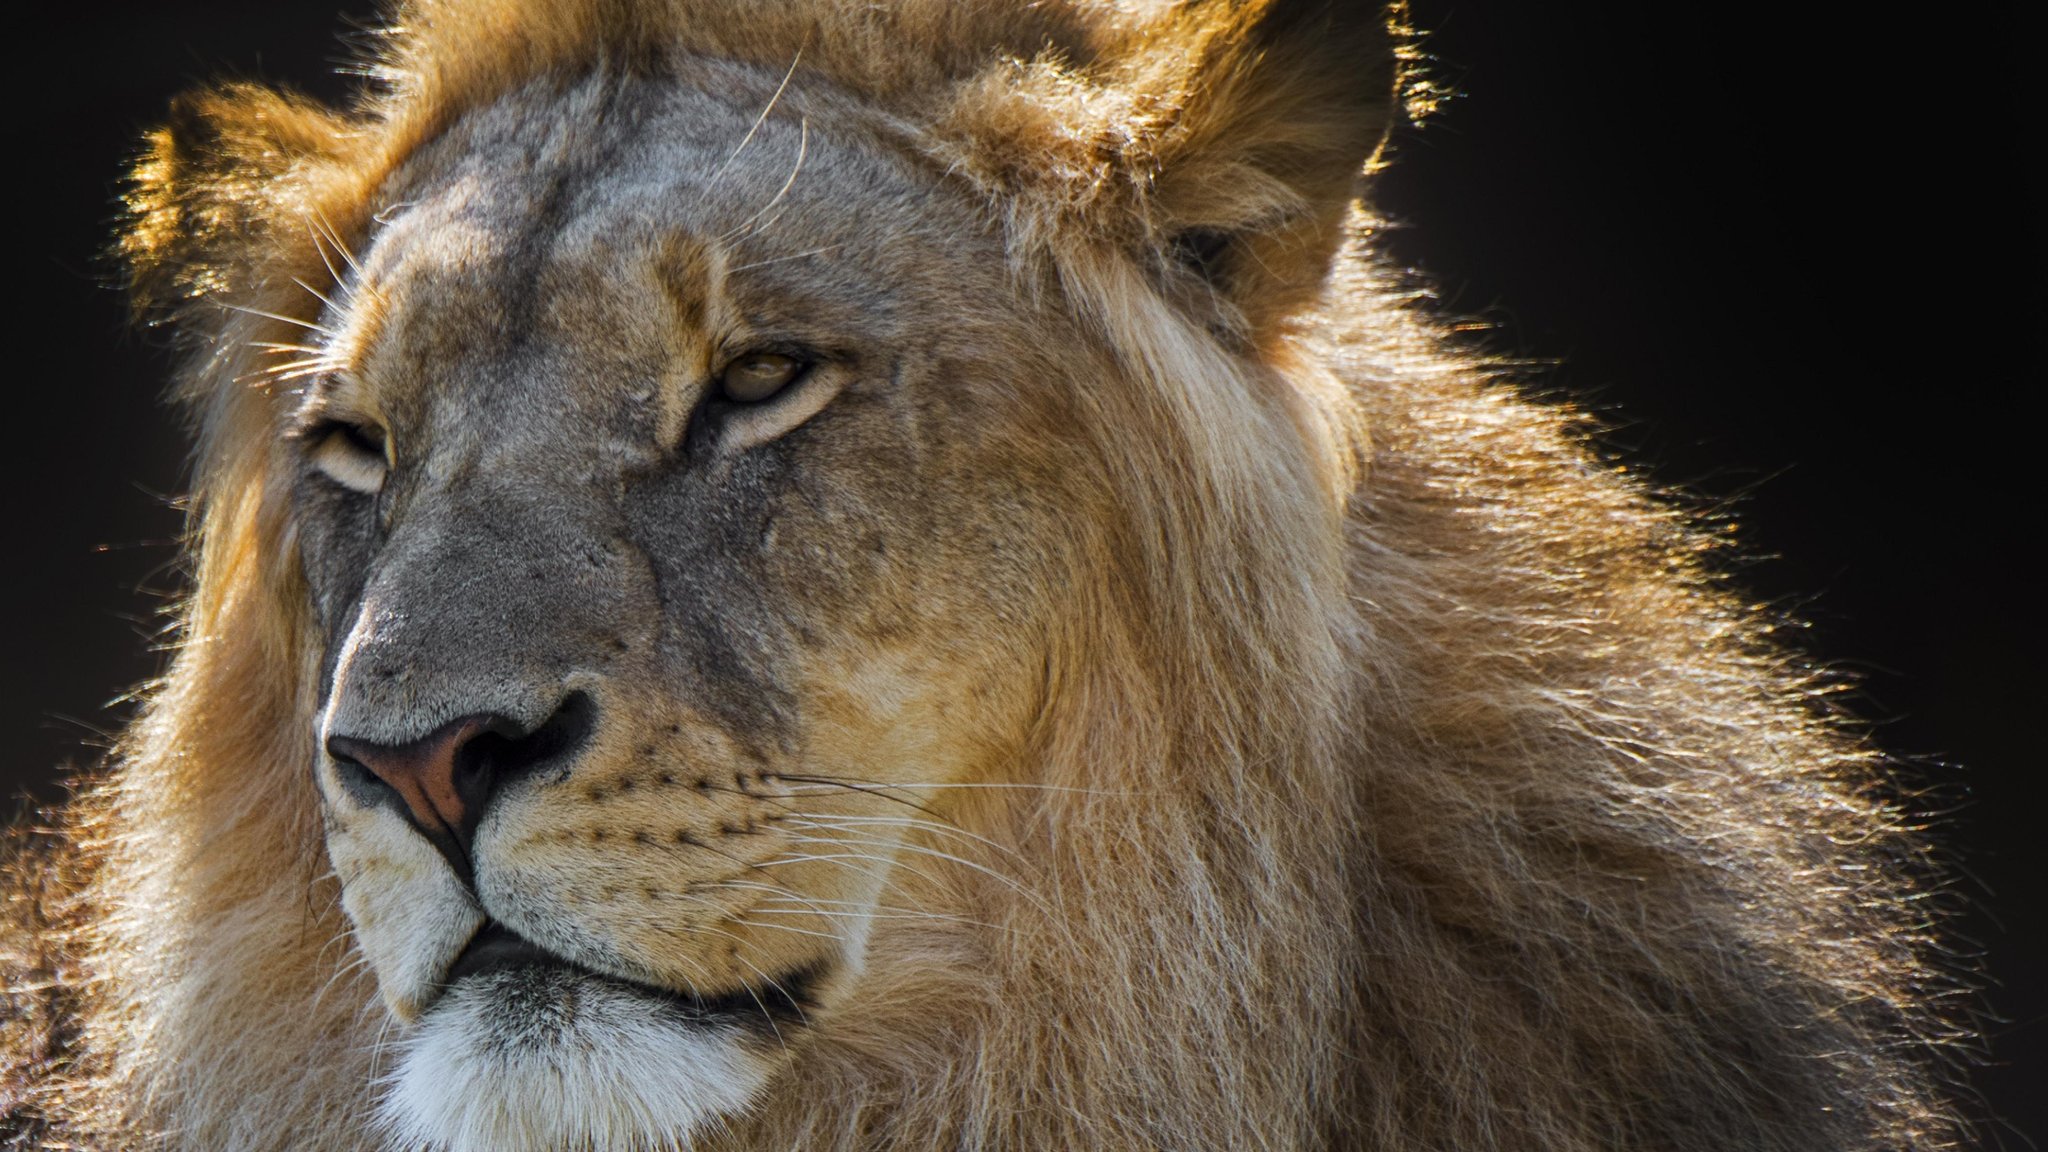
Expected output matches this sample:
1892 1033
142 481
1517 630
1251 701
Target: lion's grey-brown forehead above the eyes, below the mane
669 194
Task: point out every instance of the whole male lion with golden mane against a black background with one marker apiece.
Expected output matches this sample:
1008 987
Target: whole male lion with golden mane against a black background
900 577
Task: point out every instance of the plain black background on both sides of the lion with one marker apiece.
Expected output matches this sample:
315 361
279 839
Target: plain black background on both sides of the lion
1793 257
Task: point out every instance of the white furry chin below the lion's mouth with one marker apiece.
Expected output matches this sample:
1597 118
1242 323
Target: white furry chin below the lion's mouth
554 1061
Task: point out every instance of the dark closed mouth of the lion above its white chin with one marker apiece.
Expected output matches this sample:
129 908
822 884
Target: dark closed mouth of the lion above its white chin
499 952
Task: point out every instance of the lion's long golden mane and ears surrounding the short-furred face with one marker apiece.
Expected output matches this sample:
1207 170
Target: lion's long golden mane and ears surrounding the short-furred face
1406 778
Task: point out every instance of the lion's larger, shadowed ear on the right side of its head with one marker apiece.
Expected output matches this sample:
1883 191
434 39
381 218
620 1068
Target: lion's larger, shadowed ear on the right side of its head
1271 112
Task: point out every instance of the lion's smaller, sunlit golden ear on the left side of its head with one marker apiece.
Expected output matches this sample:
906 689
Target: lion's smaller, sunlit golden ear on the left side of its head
214 183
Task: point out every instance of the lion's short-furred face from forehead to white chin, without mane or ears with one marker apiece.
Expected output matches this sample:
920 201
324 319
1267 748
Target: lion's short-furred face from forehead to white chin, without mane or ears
677 499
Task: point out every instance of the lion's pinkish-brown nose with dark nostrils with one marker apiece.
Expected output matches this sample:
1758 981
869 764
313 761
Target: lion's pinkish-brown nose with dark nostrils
450 776
